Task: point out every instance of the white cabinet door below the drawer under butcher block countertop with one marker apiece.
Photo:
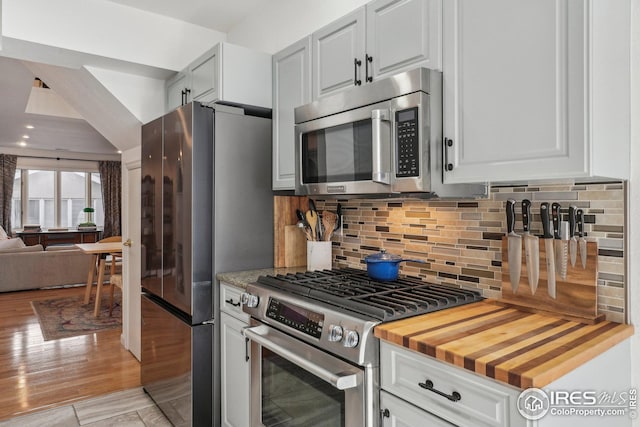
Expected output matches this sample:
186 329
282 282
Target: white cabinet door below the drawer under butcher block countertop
398 413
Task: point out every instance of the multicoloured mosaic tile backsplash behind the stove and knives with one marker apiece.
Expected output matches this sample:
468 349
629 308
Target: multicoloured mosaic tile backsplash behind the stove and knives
460 240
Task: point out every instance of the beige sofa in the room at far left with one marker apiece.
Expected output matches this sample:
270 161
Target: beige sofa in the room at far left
31 267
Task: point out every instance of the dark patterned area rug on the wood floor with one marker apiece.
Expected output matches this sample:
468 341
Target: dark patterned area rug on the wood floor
69 317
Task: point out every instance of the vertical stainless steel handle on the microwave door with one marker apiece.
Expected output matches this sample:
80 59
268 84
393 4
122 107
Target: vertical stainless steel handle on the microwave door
381 146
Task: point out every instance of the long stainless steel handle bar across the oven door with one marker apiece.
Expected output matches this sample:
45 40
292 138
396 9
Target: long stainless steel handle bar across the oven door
346 377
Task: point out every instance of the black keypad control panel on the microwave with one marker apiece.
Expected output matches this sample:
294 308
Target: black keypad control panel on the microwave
408 144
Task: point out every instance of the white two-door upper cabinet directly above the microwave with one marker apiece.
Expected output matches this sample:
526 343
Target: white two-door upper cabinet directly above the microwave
380 39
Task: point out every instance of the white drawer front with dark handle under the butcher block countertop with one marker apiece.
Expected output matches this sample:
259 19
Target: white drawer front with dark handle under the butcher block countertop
481 401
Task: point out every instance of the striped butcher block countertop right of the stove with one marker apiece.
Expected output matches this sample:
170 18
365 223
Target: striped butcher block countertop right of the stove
519 348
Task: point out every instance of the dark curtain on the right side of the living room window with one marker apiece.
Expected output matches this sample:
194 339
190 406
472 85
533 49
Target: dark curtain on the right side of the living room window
111 179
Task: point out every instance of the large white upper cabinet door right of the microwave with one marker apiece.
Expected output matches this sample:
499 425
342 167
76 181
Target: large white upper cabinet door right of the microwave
513 89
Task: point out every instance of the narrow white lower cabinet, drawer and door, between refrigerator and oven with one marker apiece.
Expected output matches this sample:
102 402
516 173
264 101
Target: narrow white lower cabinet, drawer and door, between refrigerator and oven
235 373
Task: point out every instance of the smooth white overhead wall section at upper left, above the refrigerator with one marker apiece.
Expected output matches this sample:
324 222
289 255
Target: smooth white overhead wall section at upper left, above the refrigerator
107 29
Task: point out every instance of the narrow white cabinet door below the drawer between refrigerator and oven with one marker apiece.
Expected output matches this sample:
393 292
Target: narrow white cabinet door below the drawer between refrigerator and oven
234 372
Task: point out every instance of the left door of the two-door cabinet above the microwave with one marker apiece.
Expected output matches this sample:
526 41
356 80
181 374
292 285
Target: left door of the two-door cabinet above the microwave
335 48
